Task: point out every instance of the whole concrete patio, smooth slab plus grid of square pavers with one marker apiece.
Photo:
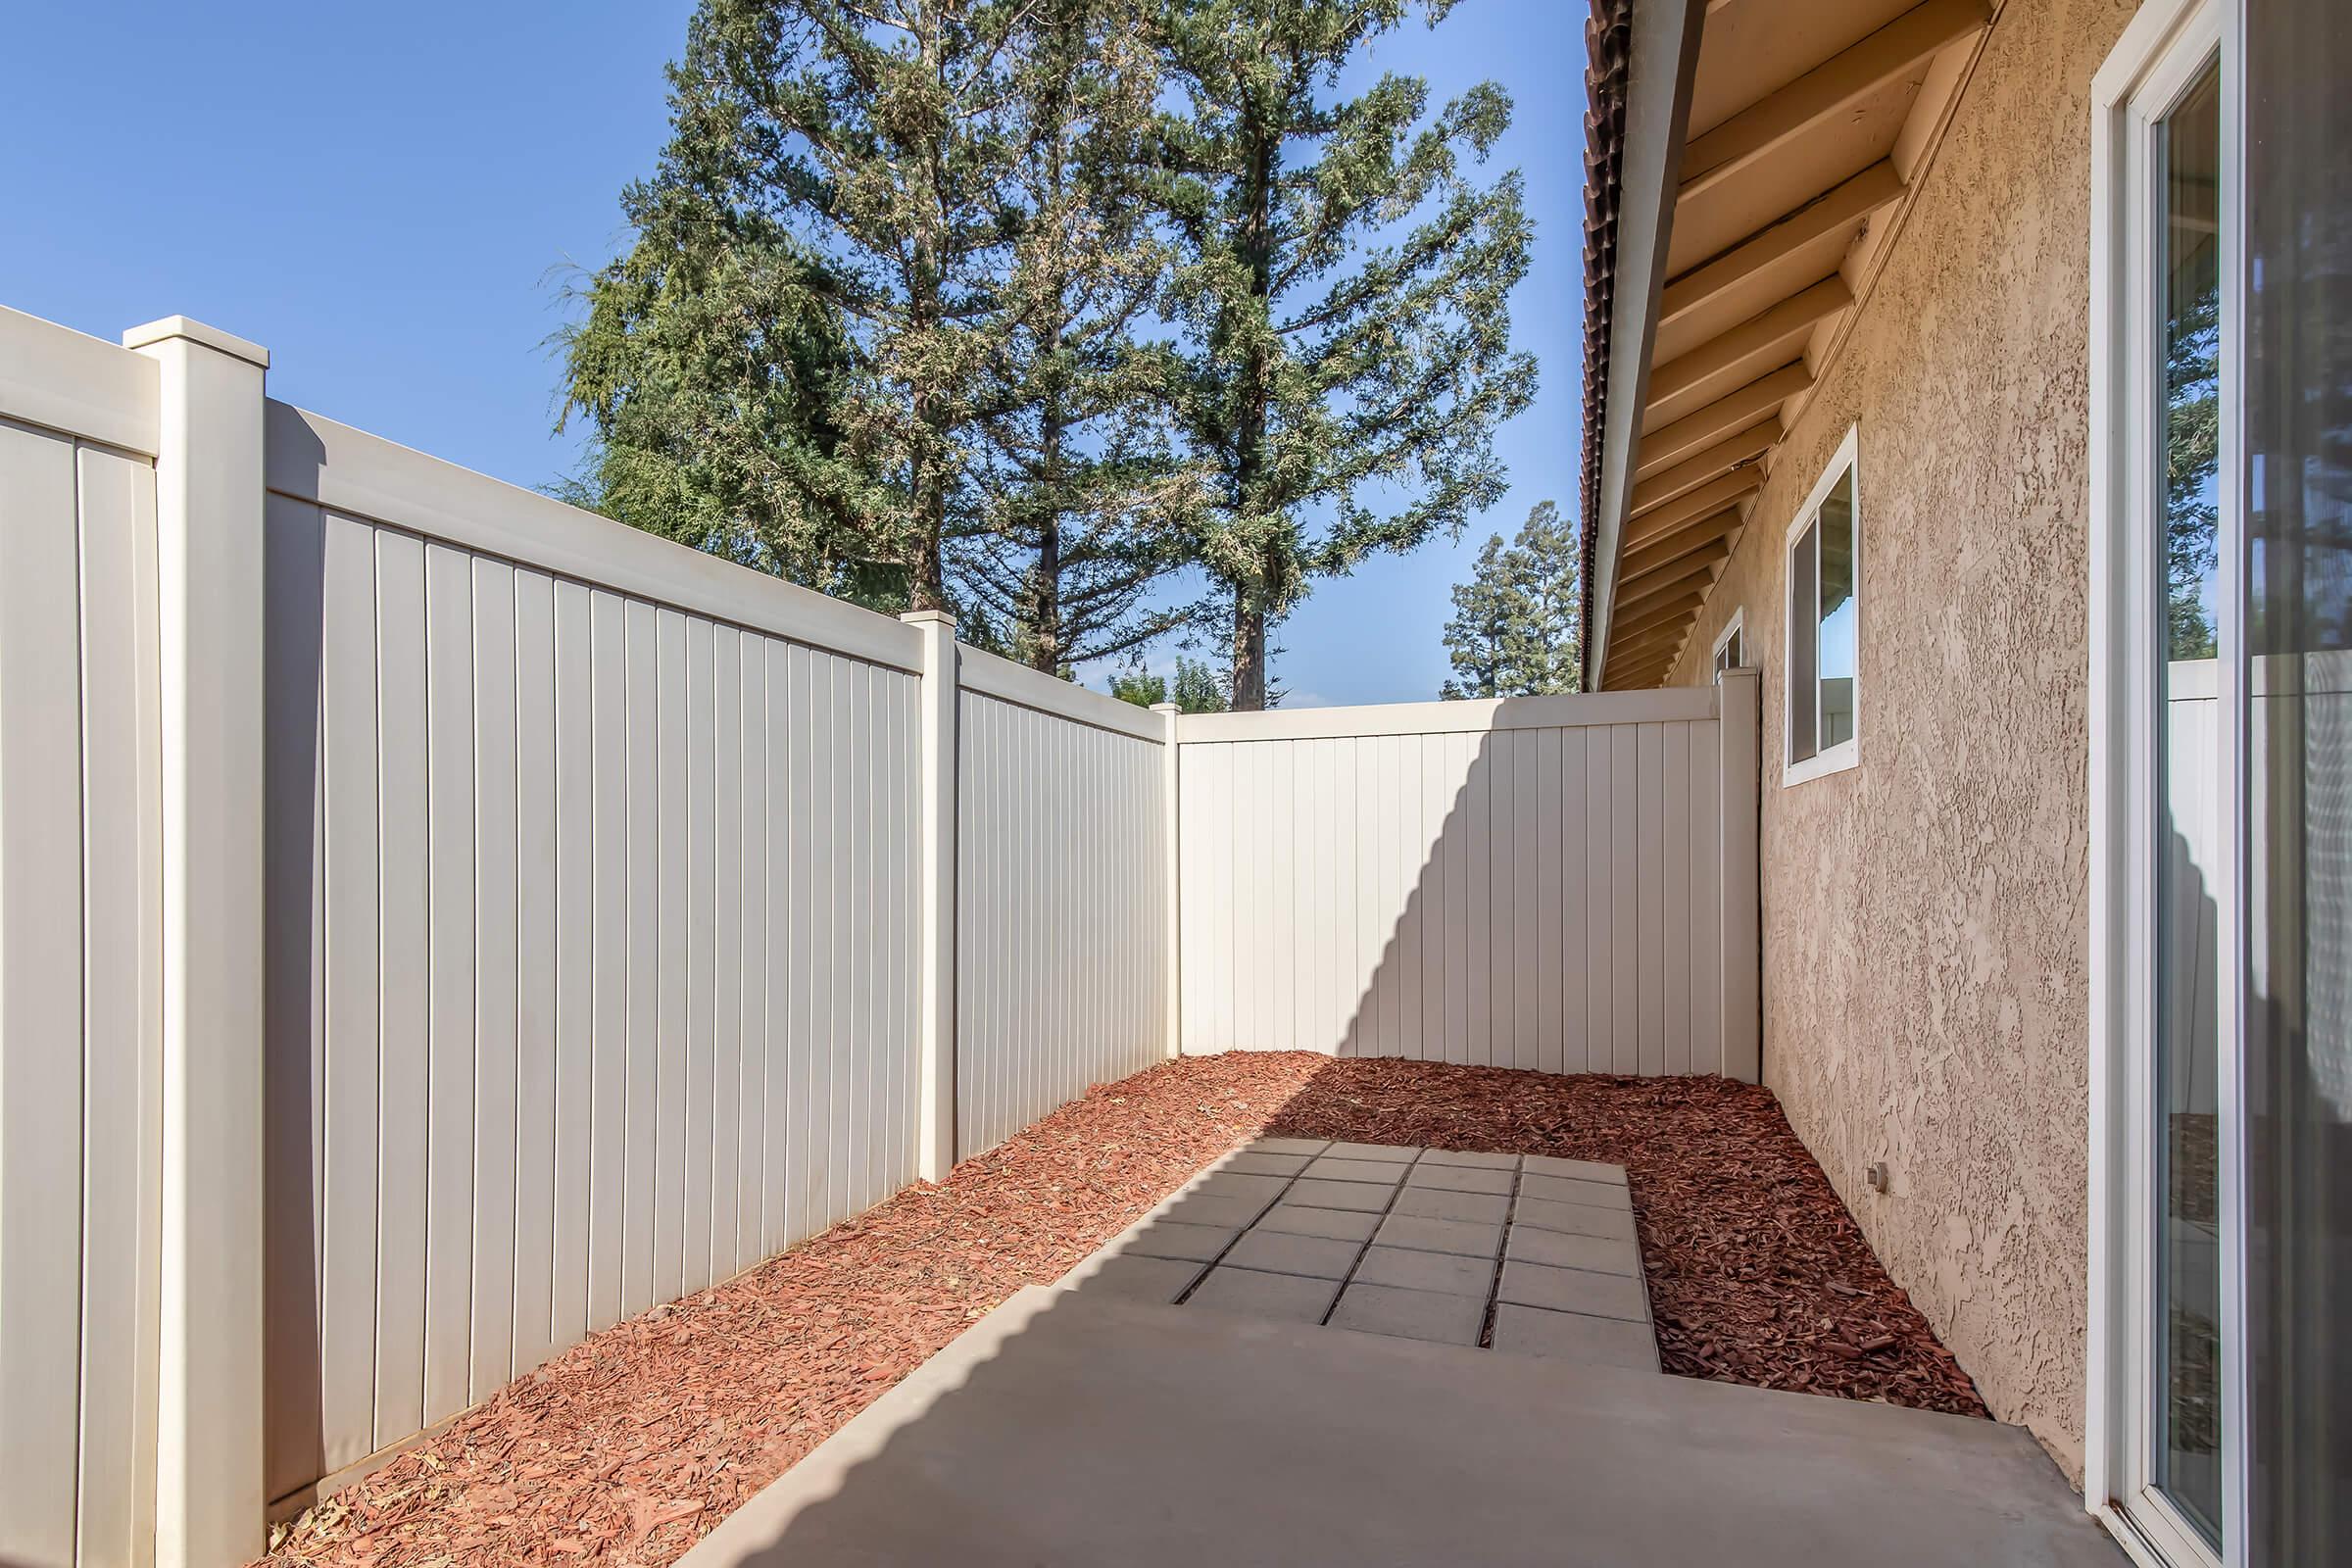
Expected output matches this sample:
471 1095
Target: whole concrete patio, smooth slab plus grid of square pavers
1292 1362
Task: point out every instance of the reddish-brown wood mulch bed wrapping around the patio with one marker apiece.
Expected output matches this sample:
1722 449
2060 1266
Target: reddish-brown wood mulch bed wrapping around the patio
634 1445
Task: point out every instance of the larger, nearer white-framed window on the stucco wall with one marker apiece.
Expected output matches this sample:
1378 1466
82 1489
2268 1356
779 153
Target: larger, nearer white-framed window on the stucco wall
1824 622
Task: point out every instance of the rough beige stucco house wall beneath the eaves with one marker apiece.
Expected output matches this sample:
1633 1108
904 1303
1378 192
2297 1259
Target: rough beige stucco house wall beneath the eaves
1925 913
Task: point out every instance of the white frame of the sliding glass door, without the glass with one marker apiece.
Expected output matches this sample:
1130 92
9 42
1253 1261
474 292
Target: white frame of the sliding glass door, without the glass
2151 67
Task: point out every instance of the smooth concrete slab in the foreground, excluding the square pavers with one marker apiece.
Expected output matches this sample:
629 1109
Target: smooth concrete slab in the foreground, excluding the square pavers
1071 1428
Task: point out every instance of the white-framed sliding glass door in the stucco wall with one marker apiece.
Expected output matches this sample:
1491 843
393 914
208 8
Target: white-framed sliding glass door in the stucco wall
2221 1409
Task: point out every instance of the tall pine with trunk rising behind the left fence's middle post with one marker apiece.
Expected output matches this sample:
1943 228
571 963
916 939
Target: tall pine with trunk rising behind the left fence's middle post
876 140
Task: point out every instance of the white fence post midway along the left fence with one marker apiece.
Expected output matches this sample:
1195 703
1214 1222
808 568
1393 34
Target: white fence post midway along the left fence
935 1031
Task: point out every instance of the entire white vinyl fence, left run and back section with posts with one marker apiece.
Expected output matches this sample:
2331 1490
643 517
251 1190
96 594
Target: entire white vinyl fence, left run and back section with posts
439 923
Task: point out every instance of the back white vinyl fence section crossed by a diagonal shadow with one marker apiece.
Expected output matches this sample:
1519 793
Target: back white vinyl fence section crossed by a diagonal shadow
1535 883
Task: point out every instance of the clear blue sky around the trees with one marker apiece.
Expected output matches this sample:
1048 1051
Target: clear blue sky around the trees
392 210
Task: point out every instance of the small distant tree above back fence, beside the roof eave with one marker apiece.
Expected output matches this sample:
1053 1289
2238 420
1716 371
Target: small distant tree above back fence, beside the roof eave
1514 629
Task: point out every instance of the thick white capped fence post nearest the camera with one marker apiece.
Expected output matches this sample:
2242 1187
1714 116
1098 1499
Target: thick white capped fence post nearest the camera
211 608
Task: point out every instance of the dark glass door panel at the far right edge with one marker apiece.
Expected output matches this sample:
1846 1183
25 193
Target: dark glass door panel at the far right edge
2299 782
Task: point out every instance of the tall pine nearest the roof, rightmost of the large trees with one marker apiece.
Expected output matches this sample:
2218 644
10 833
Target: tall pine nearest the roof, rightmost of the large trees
1344 290
